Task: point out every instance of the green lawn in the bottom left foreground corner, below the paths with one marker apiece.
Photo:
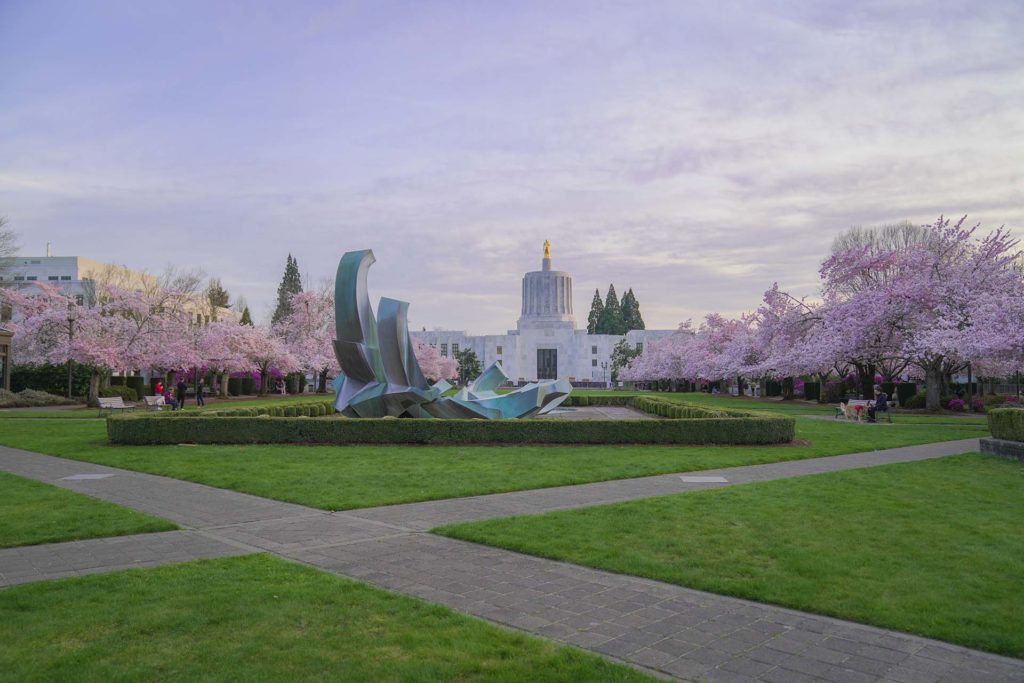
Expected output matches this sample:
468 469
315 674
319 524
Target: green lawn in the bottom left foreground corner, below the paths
261 619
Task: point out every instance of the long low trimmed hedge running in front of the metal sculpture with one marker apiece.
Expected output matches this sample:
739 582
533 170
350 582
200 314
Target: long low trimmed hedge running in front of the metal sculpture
155 430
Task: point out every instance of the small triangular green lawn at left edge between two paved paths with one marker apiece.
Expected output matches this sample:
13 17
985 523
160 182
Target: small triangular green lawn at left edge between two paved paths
32 513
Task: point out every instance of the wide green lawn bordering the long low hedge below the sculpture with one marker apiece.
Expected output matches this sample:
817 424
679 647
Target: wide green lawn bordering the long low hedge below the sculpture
346 478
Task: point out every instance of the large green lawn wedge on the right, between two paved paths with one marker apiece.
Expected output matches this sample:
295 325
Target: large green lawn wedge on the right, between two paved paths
933 547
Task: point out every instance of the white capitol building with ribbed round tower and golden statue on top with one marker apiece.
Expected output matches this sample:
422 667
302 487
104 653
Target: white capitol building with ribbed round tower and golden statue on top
546 344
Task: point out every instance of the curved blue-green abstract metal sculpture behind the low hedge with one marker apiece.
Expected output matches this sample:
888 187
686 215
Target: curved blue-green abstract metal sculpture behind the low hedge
382 376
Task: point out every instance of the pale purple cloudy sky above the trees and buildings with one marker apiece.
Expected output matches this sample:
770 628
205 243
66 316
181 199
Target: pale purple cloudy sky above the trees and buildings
696 152
